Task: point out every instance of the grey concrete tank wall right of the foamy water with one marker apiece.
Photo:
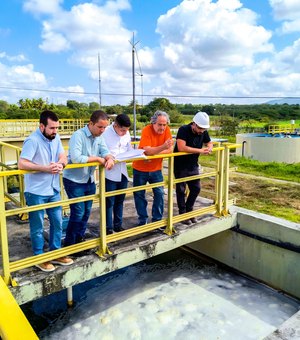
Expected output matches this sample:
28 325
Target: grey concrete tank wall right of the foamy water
275 262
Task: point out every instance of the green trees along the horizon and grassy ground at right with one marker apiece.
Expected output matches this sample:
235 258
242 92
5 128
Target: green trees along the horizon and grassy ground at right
260 194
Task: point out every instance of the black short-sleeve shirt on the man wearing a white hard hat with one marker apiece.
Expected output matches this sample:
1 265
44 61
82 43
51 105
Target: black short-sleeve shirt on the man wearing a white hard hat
189 162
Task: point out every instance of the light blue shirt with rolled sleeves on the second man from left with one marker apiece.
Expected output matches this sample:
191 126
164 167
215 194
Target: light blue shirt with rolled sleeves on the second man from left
82 145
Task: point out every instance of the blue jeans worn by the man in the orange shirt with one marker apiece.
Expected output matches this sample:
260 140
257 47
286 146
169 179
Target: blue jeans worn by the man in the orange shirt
141 178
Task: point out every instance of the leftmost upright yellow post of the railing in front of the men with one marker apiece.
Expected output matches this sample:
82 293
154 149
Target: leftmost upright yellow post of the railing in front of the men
3 235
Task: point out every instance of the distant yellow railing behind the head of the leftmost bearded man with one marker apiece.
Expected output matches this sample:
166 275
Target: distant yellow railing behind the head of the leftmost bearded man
23 128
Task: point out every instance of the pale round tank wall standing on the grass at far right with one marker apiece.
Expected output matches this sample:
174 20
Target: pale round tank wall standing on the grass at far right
269 149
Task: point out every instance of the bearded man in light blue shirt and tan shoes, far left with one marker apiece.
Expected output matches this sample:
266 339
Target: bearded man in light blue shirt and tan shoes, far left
43 153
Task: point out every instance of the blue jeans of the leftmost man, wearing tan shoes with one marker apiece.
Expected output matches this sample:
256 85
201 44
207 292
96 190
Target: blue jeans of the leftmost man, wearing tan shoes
36 222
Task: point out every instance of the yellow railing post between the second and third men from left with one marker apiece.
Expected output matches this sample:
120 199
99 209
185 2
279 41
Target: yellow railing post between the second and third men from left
103 249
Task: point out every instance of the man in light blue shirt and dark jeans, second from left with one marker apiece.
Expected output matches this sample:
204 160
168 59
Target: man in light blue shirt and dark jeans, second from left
86 145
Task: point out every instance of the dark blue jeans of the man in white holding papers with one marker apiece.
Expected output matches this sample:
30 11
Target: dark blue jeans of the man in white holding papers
114 204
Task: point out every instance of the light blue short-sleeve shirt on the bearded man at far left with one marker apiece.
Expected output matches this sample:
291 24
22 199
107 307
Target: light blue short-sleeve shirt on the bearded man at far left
40 150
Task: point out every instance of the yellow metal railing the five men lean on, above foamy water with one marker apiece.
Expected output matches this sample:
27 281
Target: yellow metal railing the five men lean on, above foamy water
219 207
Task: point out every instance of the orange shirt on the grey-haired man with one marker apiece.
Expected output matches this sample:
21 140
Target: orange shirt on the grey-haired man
150 138
